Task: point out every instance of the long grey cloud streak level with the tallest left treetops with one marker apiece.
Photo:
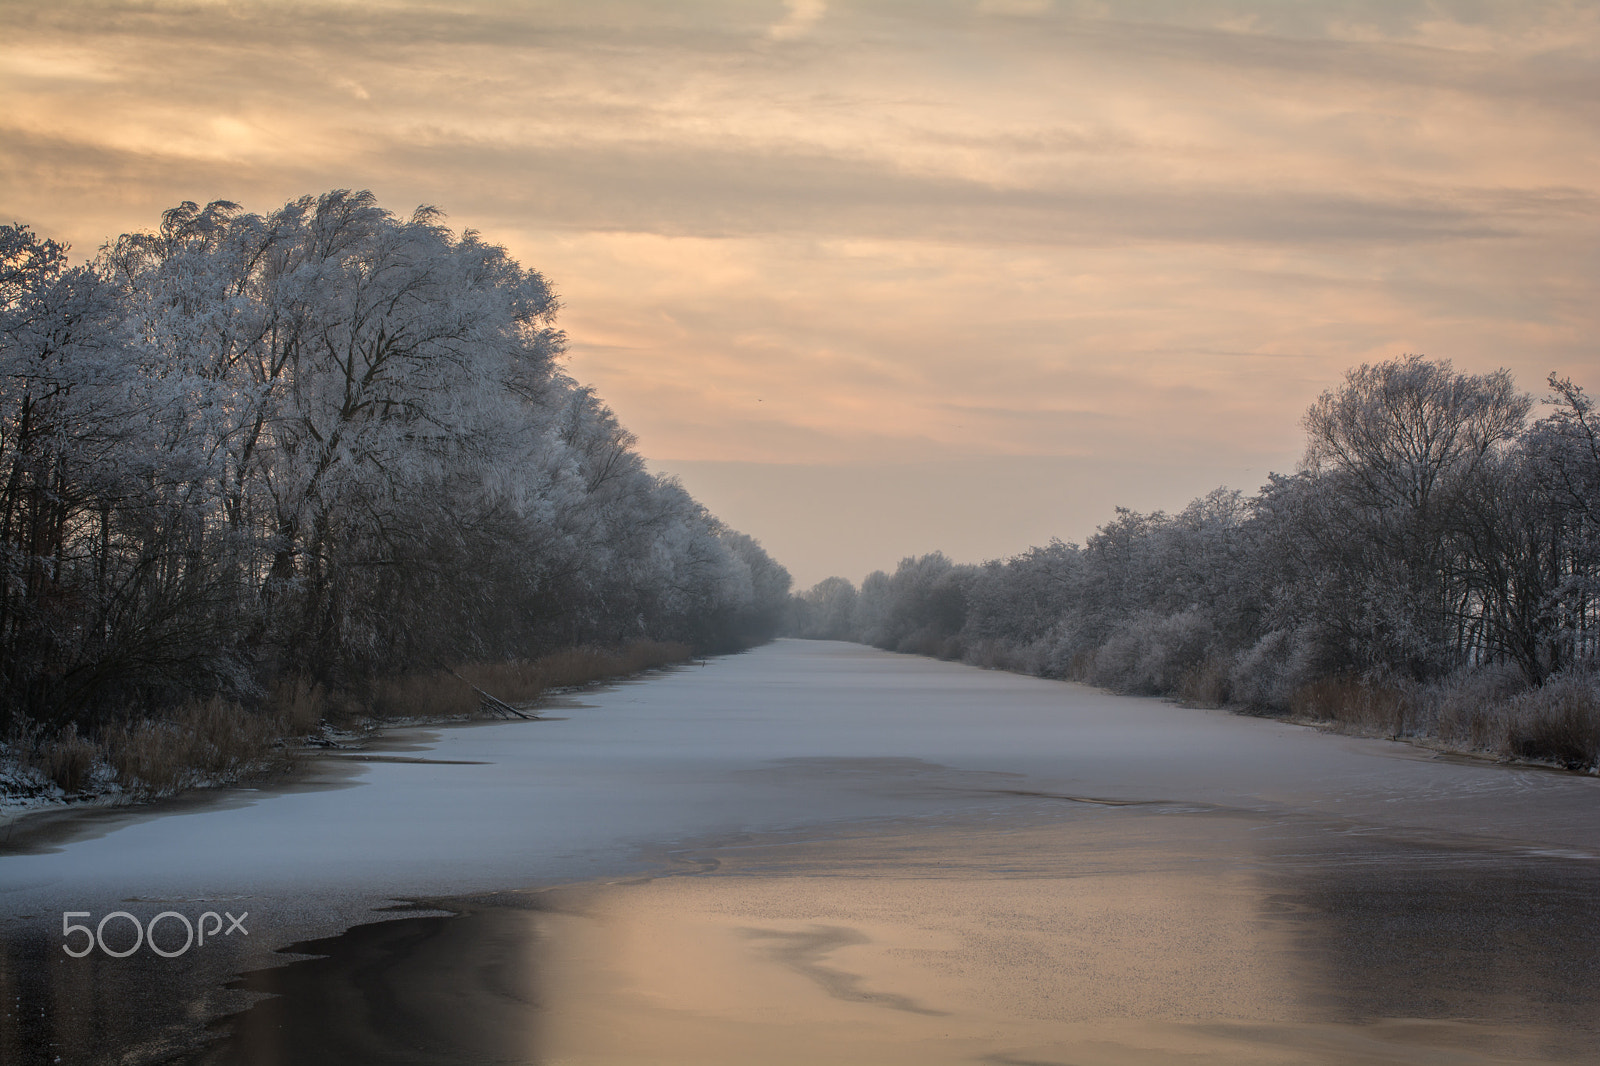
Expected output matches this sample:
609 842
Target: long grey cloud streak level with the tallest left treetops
724 191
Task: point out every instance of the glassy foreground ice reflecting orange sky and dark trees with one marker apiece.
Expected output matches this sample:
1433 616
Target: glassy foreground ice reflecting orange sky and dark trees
1113 936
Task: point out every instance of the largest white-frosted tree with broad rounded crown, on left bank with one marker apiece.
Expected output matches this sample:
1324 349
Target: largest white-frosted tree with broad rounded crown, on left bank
350 374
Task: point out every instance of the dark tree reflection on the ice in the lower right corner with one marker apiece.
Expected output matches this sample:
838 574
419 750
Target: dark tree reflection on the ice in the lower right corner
1406 931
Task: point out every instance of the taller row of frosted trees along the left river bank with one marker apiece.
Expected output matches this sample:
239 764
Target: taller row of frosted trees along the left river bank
326 444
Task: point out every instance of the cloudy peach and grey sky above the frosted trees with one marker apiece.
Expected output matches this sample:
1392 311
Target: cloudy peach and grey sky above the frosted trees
903 276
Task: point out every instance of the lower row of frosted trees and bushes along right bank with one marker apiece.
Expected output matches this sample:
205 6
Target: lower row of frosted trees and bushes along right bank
1433 567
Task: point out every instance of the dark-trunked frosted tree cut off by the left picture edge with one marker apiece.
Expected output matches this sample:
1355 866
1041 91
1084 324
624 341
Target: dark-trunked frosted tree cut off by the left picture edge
74 451
